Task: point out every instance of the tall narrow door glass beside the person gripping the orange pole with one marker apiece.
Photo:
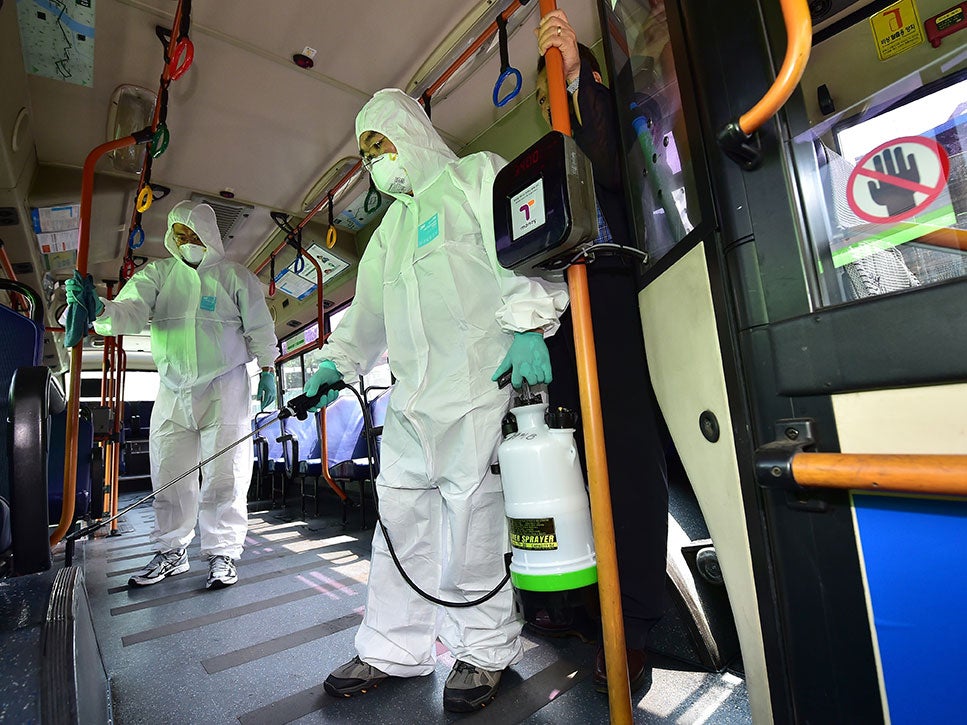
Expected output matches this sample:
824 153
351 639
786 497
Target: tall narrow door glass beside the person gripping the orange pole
660 177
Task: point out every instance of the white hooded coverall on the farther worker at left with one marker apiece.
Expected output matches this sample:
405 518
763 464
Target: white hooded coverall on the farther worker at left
206 324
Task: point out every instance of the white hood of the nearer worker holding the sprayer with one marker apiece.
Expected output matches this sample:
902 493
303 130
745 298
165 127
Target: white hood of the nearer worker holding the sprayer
402 120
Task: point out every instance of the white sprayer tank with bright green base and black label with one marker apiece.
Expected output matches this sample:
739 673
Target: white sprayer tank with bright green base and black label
547 506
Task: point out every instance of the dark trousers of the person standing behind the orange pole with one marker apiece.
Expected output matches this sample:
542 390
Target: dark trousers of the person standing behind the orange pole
632 428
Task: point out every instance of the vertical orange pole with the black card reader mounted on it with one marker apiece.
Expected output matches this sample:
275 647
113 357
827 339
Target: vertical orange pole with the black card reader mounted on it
609 589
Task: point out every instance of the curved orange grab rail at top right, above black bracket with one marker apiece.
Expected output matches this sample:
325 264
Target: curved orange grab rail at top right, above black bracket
738 139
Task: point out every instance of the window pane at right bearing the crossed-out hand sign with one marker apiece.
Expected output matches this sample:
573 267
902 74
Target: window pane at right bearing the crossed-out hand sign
891 187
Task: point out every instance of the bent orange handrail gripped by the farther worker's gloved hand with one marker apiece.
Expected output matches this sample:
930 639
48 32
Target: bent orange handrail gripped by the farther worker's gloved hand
74 387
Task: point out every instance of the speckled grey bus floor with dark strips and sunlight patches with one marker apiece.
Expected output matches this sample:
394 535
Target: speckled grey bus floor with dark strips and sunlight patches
258 652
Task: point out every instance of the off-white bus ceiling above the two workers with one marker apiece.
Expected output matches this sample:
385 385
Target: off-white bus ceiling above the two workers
245 116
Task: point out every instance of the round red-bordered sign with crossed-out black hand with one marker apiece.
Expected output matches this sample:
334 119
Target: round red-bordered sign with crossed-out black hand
898 179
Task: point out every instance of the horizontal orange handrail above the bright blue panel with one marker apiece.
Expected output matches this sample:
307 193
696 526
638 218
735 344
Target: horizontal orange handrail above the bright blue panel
920 474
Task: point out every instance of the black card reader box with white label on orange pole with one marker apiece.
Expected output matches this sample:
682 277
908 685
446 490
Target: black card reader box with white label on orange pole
544 205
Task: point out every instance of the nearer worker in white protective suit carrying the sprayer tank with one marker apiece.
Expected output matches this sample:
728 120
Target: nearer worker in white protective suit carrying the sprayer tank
431 292
